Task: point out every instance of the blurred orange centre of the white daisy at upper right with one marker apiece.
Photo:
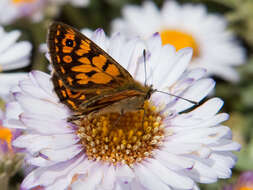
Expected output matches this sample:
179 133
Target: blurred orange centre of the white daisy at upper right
180 40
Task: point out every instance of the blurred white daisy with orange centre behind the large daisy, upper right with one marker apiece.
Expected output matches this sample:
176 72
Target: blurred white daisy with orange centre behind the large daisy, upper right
215 48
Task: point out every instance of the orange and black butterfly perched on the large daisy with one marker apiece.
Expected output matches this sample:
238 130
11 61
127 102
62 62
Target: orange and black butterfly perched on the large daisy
87 79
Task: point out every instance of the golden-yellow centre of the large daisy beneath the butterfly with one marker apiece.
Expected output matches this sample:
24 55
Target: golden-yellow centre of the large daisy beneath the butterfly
127 138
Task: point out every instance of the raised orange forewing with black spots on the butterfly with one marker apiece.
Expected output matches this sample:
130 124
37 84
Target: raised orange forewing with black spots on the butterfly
80 63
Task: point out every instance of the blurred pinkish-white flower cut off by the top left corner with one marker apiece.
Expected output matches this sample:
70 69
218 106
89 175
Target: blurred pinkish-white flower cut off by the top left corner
10 10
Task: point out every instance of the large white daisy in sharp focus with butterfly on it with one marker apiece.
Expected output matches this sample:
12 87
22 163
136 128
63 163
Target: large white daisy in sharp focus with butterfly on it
168 147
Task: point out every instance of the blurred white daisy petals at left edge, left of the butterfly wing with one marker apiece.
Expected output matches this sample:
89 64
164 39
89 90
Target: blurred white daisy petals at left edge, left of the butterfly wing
13 55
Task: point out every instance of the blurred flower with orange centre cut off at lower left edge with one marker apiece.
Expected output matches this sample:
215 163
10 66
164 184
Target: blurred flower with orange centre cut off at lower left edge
10 161
